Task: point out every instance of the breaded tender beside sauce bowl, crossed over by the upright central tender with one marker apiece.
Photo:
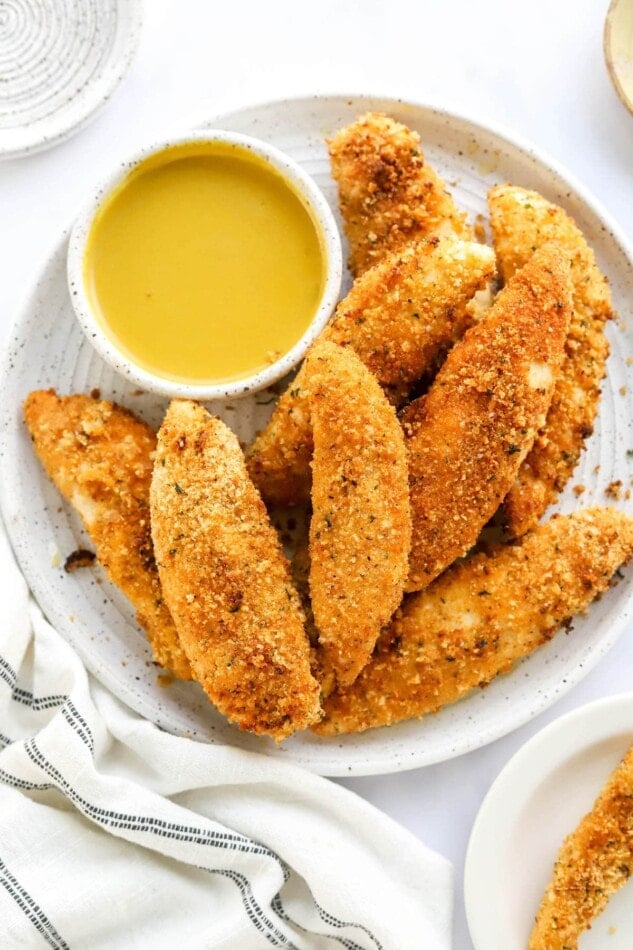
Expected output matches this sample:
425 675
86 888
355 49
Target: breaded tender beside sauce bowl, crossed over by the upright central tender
399 317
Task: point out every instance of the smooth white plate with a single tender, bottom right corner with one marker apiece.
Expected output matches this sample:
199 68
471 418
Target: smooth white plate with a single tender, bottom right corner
536 801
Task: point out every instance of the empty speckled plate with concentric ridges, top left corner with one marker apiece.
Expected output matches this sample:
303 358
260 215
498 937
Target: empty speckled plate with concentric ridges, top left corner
60 61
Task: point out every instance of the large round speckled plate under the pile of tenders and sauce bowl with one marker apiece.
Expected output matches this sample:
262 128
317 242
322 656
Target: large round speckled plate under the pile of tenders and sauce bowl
48 349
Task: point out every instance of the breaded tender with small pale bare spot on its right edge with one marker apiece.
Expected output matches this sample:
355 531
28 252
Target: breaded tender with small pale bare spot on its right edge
468 436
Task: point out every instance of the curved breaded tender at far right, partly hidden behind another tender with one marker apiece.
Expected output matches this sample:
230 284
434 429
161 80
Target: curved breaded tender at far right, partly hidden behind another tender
521 221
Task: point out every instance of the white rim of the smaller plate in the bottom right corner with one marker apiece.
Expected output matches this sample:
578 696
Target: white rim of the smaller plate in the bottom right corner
519 779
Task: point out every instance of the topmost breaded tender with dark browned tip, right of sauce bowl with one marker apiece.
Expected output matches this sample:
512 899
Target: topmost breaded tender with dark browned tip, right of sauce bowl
388 194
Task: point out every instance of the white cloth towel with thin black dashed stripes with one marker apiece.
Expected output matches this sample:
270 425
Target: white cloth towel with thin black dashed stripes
115 834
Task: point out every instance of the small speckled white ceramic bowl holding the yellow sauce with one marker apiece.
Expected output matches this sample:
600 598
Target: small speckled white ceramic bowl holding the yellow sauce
322 216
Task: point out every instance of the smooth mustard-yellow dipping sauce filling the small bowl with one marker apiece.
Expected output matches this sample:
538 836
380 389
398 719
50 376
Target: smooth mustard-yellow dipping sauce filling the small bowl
204 265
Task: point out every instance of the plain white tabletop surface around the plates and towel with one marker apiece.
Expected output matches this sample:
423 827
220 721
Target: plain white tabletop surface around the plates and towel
534 67
